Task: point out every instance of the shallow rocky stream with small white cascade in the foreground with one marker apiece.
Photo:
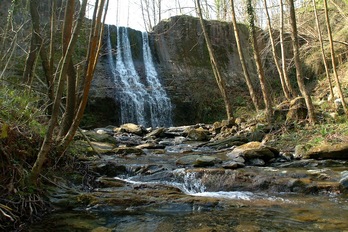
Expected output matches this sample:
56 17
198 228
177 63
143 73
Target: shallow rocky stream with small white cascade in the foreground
160 190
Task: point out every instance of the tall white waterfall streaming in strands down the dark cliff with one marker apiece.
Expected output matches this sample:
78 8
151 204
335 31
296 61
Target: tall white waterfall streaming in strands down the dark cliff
141 103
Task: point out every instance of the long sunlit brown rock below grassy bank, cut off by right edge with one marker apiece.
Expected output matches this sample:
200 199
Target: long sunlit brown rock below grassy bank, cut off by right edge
325 151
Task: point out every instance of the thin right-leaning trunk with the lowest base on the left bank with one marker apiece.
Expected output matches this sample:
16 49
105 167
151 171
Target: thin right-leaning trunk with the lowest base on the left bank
48 140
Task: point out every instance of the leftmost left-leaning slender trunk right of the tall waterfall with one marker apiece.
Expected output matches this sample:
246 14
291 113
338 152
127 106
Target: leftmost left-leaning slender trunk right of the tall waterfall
219 79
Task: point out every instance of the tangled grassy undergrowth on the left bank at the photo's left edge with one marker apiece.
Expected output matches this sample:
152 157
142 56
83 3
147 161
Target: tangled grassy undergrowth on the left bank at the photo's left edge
22 126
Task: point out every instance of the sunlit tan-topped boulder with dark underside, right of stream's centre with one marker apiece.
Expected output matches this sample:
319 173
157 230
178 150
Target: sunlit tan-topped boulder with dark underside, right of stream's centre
252 150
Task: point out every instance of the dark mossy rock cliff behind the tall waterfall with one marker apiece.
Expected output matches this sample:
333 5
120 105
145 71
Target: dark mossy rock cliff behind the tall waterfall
183 65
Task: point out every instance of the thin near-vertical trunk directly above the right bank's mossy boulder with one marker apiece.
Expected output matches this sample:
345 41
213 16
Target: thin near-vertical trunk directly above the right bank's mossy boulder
282 49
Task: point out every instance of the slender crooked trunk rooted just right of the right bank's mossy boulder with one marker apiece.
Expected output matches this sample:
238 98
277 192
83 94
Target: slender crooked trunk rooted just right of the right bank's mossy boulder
297 60
